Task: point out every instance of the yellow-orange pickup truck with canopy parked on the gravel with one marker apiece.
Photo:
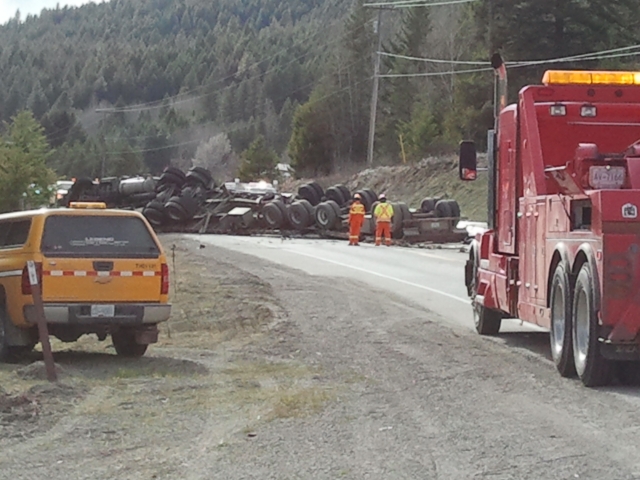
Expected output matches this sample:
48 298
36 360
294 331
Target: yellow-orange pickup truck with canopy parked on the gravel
102 272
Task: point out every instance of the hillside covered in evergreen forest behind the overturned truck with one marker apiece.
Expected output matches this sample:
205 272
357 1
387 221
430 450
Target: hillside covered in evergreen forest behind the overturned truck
130 86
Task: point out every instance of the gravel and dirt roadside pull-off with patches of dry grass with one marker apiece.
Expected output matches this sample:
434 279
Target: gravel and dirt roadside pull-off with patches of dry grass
268 372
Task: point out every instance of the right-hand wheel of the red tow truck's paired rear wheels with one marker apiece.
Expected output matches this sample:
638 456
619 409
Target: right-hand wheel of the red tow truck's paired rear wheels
593 369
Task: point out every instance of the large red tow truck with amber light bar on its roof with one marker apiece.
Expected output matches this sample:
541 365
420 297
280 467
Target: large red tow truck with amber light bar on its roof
563 246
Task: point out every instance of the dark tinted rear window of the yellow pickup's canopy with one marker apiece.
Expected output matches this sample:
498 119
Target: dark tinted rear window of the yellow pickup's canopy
97 236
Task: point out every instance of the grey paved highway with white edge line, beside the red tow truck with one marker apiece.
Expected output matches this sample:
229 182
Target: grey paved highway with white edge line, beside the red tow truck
433 279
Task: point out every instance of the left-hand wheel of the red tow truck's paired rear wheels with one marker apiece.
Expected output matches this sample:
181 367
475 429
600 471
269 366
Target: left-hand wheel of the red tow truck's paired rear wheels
560 333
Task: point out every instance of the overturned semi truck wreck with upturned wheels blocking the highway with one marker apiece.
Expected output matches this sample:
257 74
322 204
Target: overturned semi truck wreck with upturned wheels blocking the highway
191 202
